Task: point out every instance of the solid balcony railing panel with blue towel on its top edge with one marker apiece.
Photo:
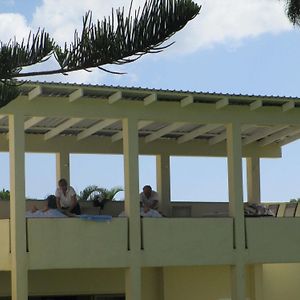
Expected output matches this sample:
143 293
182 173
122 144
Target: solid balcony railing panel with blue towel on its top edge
74 243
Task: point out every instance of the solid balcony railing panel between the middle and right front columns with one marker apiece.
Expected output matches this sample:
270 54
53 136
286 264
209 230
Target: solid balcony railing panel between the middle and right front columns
187 241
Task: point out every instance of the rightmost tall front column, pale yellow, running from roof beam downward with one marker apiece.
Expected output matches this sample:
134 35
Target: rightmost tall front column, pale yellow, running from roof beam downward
236 209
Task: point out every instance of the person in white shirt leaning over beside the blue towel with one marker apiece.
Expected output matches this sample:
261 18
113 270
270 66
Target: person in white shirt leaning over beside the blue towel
66 198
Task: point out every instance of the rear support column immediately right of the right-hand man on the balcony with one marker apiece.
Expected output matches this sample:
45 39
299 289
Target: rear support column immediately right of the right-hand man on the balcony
163 181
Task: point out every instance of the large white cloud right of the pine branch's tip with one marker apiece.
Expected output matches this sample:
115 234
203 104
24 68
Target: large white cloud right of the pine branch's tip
231 21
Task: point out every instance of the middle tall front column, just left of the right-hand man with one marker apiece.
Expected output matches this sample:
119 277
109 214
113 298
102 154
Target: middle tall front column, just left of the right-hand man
132 208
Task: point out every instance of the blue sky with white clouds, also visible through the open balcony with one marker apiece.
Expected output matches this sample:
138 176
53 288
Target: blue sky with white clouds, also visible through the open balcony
233 46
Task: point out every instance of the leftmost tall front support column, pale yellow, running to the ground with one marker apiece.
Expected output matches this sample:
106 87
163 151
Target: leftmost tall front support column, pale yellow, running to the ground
19 268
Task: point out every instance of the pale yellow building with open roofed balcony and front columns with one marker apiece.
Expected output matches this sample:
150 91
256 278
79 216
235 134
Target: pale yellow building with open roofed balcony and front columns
182 256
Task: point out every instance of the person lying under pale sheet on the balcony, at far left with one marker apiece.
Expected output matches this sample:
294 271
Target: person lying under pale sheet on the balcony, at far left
49 211
